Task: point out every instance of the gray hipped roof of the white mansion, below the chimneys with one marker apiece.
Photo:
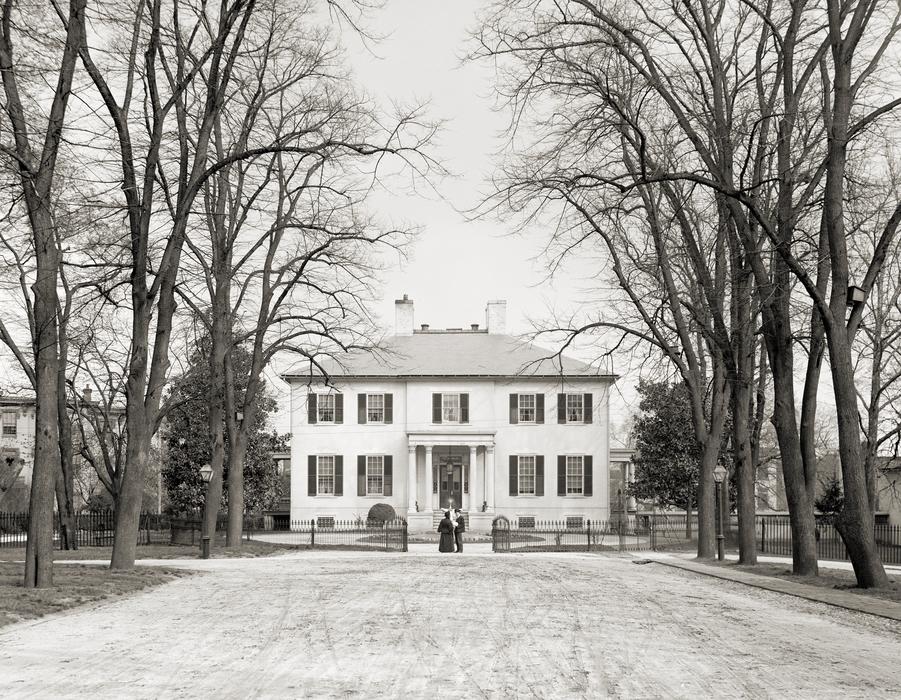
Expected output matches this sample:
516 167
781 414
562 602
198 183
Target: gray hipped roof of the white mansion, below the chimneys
427 354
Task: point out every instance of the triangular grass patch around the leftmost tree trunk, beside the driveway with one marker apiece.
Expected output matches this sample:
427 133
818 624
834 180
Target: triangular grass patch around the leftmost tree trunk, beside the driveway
74 585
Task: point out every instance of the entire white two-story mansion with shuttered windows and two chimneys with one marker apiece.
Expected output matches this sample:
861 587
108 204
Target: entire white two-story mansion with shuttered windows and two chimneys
472 418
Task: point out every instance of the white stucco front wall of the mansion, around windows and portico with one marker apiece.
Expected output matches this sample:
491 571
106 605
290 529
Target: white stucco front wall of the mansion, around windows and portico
488 414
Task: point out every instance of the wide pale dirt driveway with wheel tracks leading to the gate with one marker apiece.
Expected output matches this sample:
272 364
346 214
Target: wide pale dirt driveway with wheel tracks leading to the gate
371 625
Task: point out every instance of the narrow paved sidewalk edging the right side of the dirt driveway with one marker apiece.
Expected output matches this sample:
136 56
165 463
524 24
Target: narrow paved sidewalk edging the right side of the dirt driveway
838 598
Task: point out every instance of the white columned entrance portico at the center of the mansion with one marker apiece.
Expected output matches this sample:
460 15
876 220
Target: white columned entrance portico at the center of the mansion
450 470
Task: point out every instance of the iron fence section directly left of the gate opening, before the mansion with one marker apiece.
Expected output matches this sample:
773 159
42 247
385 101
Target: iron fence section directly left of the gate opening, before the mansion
390 536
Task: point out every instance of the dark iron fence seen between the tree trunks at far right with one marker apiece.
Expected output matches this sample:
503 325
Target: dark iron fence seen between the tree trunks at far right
774 537
